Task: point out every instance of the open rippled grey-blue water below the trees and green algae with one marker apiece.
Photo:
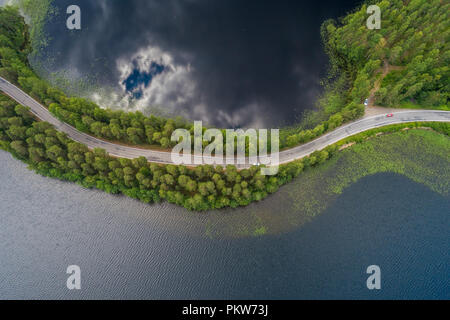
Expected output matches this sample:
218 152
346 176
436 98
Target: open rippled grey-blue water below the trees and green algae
130 250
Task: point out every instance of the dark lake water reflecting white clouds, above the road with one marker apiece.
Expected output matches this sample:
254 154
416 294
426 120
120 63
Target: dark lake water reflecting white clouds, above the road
230 63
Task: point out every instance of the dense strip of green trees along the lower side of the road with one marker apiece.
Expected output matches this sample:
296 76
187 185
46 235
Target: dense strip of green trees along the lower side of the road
52 153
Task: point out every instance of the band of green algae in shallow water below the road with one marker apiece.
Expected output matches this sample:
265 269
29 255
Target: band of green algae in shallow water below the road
420 155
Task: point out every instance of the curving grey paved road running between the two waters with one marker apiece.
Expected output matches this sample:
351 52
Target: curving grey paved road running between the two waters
285 156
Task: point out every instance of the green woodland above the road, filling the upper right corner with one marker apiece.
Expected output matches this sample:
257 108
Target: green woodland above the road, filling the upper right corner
413 44
